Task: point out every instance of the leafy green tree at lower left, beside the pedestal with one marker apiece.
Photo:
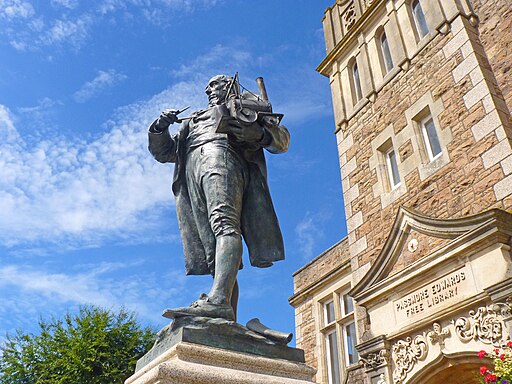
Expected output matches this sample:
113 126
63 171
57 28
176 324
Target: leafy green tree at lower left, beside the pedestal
95 346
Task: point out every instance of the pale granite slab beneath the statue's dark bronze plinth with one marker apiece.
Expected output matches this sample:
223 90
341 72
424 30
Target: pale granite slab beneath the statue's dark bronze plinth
187 363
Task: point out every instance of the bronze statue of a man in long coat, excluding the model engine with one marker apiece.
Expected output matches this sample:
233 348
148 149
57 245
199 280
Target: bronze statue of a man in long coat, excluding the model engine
221 191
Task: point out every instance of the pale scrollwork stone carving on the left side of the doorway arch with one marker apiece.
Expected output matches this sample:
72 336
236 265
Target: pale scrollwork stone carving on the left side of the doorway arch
405 354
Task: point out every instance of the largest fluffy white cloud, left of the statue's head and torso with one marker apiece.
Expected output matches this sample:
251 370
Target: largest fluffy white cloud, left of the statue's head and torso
78 193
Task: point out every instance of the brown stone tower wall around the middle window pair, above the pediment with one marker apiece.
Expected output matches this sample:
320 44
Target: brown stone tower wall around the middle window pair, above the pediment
454 69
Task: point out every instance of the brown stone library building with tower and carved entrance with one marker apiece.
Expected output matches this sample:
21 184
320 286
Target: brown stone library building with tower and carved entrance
422 94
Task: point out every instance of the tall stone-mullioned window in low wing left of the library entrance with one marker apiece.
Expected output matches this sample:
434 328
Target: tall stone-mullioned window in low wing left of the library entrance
339 333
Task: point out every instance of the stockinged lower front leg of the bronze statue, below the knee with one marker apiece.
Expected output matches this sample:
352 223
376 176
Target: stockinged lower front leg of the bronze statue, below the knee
228 254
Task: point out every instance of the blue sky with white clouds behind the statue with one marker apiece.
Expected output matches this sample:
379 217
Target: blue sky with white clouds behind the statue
86 215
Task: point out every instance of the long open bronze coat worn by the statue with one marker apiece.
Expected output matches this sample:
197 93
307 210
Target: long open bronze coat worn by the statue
260 227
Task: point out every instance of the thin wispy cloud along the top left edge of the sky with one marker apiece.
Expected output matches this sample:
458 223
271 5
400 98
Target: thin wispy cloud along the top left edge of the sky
27 29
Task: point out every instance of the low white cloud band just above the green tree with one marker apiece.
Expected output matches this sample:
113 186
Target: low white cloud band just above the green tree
105 284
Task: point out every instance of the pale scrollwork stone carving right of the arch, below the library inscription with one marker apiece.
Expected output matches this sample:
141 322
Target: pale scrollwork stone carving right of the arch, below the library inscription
485 324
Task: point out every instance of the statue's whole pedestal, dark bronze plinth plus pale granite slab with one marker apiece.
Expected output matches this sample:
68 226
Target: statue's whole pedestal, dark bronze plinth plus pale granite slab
202 351
